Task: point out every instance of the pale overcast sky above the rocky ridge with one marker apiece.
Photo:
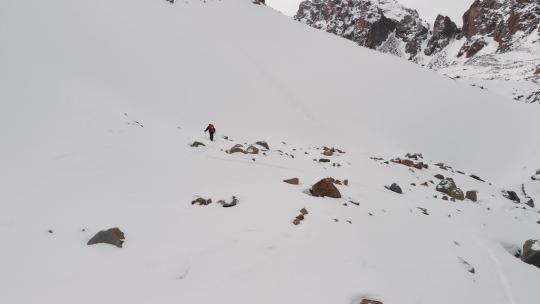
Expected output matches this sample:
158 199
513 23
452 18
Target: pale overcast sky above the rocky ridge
428 9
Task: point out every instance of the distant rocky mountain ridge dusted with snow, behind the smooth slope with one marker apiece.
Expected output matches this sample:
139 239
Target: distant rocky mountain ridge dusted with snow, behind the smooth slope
497 48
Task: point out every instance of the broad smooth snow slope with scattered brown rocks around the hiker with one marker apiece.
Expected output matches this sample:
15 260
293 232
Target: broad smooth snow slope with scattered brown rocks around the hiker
103 100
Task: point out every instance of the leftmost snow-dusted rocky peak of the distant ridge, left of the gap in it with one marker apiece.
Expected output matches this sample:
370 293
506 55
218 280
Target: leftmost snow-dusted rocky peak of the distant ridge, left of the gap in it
370 23
